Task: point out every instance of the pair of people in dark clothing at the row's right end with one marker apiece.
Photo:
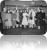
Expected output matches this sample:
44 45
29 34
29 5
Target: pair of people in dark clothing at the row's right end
40 16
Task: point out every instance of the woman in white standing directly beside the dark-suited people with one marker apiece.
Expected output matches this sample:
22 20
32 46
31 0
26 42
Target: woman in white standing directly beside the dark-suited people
31 22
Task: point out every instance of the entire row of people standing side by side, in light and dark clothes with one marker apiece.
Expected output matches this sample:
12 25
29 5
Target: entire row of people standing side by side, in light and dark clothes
16 18
